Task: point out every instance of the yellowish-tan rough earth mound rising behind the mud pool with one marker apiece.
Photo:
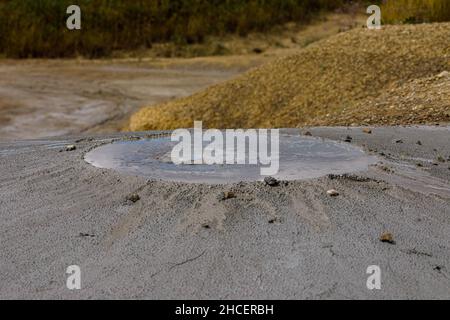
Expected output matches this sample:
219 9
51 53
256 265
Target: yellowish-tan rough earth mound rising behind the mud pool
354 77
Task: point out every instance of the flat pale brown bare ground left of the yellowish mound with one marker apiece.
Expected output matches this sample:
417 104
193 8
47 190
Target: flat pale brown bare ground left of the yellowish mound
53 98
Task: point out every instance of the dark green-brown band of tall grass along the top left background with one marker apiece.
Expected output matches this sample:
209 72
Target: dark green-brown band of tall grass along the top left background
37 28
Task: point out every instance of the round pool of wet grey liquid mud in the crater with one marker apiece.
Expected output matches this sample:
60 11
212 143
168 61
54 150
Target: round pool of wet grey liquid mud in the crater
300 157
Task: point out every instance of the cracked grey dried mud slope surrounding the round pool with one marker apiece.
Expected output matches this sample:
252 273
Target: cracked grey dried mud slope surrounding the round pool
186 241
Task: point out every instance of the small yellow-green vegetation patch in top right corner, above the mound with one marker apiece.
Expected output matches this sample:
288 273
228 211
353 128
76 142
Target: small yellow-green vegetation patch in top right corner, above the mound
416 11
